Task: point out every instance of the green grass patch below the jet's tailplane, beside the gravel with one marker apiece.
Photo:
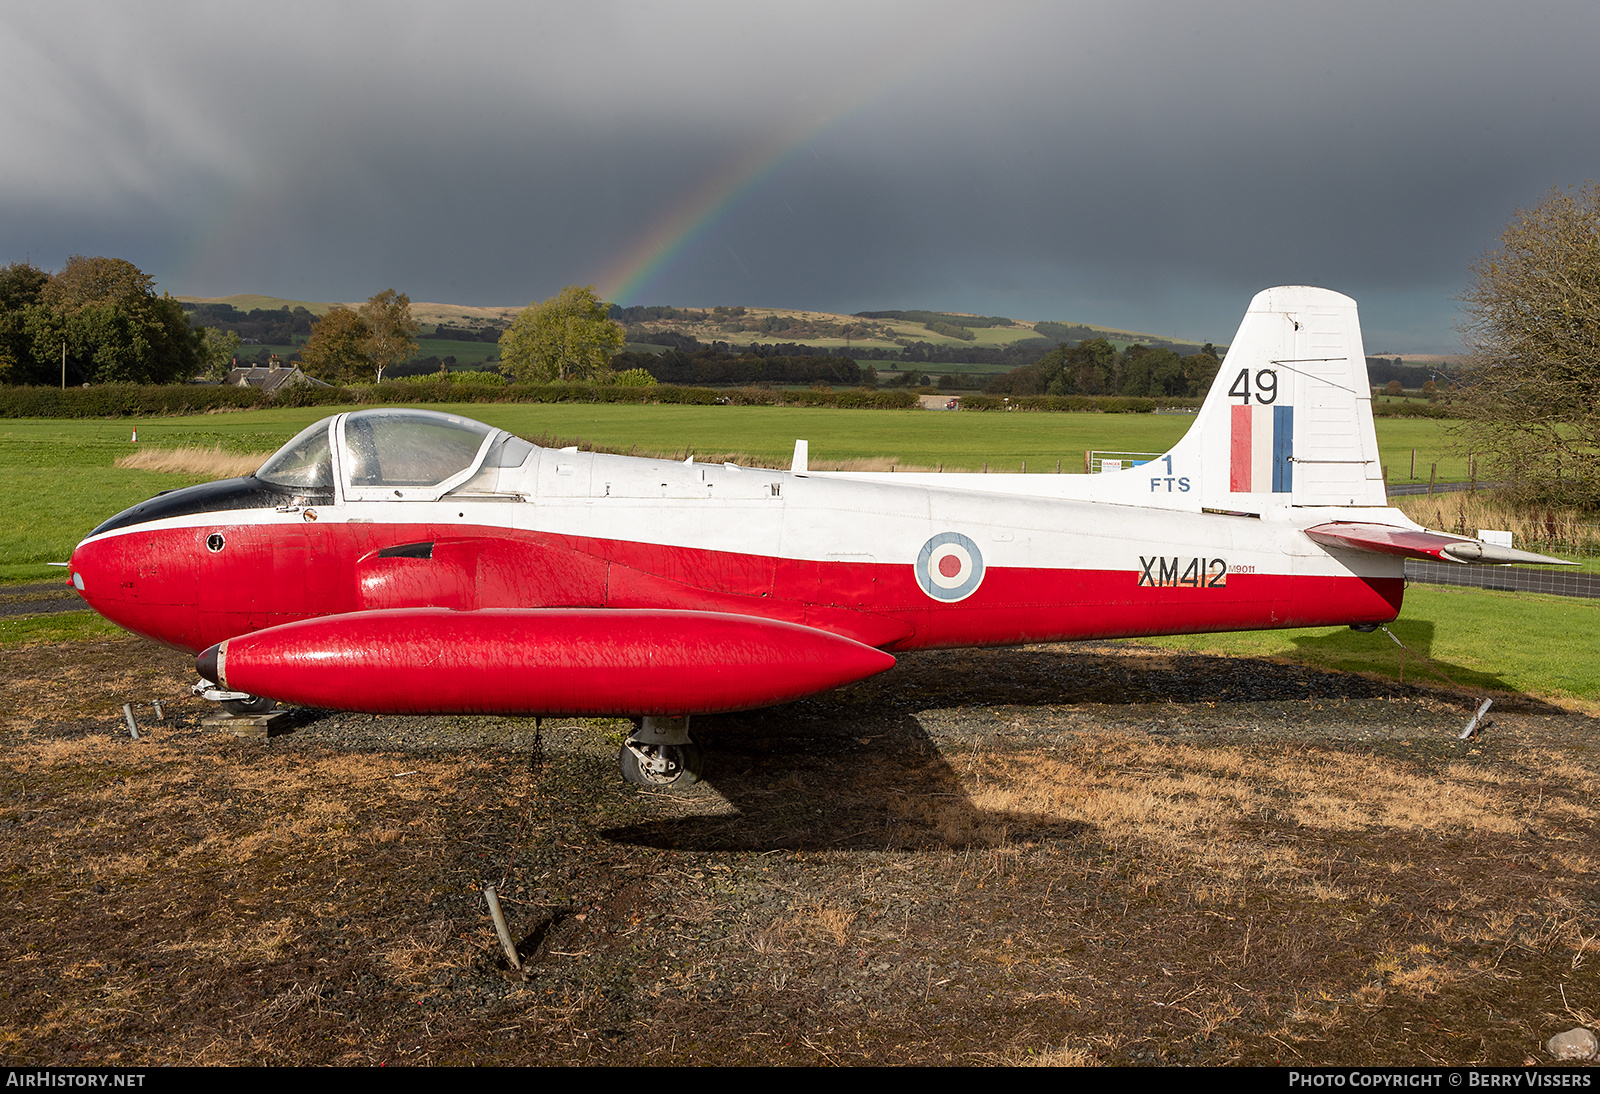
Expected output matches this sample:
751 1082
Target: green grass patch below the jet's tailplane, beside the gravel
1476 637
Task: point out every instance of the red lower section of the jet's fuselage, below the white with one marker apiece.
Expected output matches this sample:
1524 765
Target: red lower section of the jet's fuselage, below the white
178 593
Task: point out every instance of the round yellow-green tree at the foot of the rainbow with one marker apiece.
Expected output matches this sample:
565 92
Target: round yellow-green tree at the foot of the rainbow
566 338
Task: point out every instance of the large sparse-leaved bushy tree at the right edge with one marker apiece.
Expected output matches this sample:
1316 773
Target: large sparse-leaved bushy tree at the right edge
1532 391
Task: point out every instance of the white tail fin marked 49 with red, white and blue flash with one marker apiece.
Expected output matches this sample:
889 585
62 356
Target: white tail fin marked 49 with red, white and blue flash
1290 415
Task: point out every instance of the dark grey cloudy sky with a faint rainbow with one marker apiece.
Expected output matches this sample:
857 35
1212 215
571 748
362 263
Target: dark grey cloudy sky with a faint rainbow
1146 166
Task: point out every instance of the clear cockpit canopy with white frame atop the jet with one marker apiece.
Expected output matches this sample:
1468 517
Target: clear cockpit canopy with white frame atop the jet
394 455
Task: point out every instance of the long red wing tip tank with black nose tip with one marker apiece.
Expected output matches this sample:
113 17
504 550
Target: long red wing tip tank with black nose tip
551 661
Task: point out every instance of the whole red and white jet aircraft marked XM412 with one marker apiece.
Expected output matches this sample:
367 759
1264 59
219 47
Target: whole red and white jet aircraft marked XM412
412 562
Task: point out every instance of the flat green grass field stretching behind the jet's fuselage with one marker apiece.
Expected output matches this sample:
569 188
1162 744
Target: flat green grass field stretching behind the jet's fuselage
57 476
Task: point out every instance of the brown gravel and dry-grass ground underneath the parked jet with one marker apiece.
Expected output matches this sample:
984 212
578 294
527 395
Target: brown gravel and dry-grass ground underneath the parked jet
1065 855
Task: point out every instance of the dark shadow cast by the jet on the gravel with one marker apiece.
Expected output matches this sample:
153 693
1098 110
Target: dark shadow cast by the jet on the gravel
857 769
